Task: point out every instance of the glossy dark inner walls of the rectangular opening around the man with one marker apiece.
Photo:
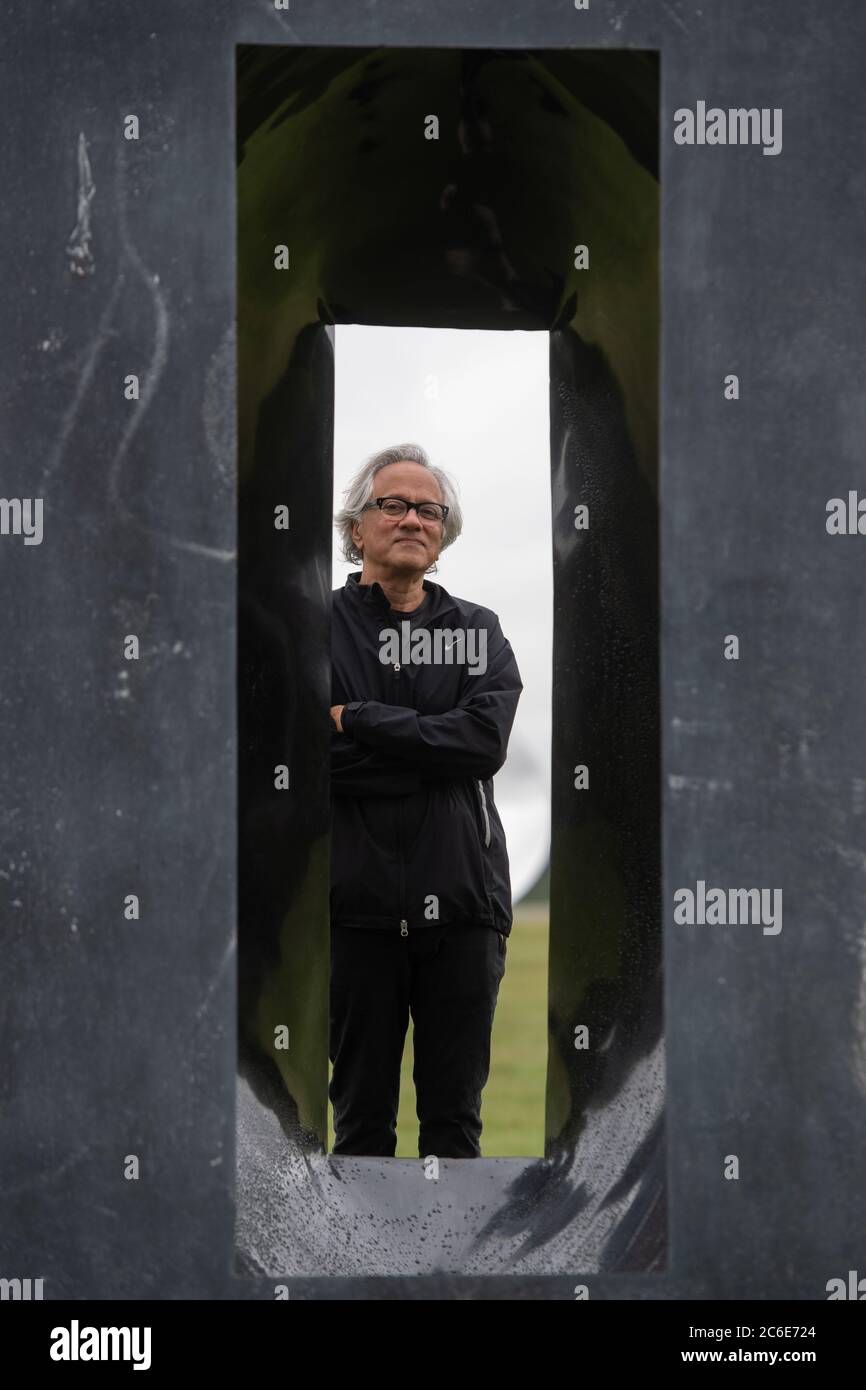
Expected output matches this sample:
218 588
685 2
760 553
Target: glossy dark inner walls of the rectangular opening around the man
597 1197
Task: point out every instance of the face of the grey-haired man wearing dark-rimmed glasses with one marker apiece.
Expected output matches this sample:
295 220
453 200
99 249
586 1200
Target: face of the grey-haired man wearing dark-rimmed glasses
401 544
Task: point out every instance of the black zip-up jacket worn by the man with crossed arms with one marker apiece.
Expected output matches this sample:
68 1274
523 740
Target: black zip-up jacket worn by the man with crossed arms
416 839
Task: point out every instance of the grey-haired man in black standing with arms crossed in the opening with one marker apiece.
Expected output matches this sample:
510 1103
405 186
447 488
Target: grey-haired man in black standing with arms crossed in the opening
425 693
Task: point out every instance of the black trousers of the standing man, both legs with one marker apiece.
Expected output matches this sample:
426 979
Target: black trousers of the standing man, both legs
448 978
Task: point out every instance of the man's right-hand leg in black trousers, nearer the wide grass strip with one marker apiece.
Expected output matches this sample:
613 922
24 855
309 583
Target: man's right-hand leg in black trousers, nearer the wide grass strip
455 985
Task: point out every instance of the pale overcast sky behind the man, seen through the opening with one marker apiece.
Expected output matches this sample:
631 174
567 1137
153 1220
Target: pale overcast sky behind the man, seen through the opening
477 402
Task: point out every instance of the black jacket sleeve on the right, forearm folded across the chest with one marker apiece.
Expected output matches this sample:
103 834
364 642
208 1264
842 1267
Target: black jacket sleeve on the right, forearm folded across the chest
468 742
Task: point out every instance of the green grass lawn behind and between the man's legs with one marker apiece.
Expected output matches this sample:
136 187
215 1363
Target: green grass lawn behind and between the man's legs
514 1103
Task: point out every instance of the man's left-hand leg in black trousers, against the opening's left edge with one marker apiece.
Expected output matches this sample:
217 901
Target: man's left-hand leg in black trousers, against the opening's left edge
369 1020
